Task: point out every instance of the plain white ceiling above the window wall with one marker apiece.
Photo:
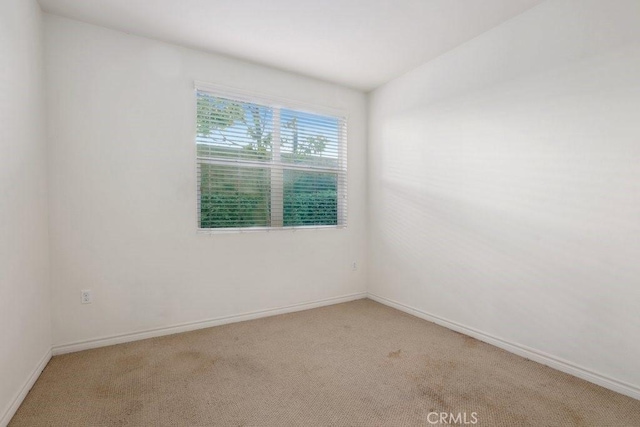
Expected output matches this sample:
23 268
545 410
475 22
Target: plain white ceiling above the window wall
357 43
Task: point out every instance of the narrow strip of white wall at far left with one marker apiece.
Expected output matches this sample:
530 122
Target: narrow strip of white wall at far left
25 321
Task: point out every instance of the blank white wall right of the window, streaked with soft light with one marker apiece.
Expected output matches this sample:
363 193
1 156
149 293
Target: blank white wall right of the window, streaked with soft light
505 185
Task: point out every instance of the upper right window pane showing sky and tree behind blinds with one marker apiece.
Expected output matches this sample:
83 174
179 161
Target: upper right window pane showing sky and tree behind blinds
309 139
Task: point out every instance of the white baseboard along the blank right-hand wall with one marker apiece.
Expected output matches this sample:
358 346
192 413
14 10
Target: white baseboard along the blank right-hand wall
527 352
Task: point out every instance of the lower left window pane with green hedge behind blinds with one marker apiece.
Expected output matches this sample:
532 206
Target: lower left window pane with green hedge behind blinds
234 196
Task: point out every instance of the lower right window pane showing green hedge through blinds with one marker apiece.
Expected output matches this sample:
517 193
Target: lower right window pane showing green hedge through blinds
310 198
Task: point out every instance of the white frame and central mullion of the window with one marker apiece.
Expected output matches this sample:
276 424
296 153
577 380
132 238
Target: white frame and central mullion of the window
278 103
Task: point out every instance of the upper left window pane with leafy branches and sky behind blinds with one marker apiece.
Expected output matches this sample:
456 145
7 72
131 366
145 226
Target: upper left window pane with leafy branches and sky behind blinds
233 129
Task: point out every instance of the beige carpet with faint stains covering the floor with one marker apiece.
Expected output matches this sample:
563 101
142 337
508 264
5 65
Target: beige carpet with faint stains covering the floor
353 364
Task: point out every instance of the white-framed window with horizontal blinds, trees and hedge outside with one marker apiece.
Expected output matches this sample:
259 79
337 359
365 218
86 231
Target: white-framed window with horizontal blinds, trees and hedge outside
263 165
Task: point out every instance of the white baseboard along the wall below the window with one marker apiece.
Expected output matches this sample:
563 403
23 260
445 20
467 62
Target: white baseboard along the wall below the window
191 326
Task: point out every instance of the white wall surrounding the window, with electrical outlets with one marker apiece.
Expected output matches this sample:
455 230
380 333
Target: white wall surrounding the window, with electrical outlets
123 190
